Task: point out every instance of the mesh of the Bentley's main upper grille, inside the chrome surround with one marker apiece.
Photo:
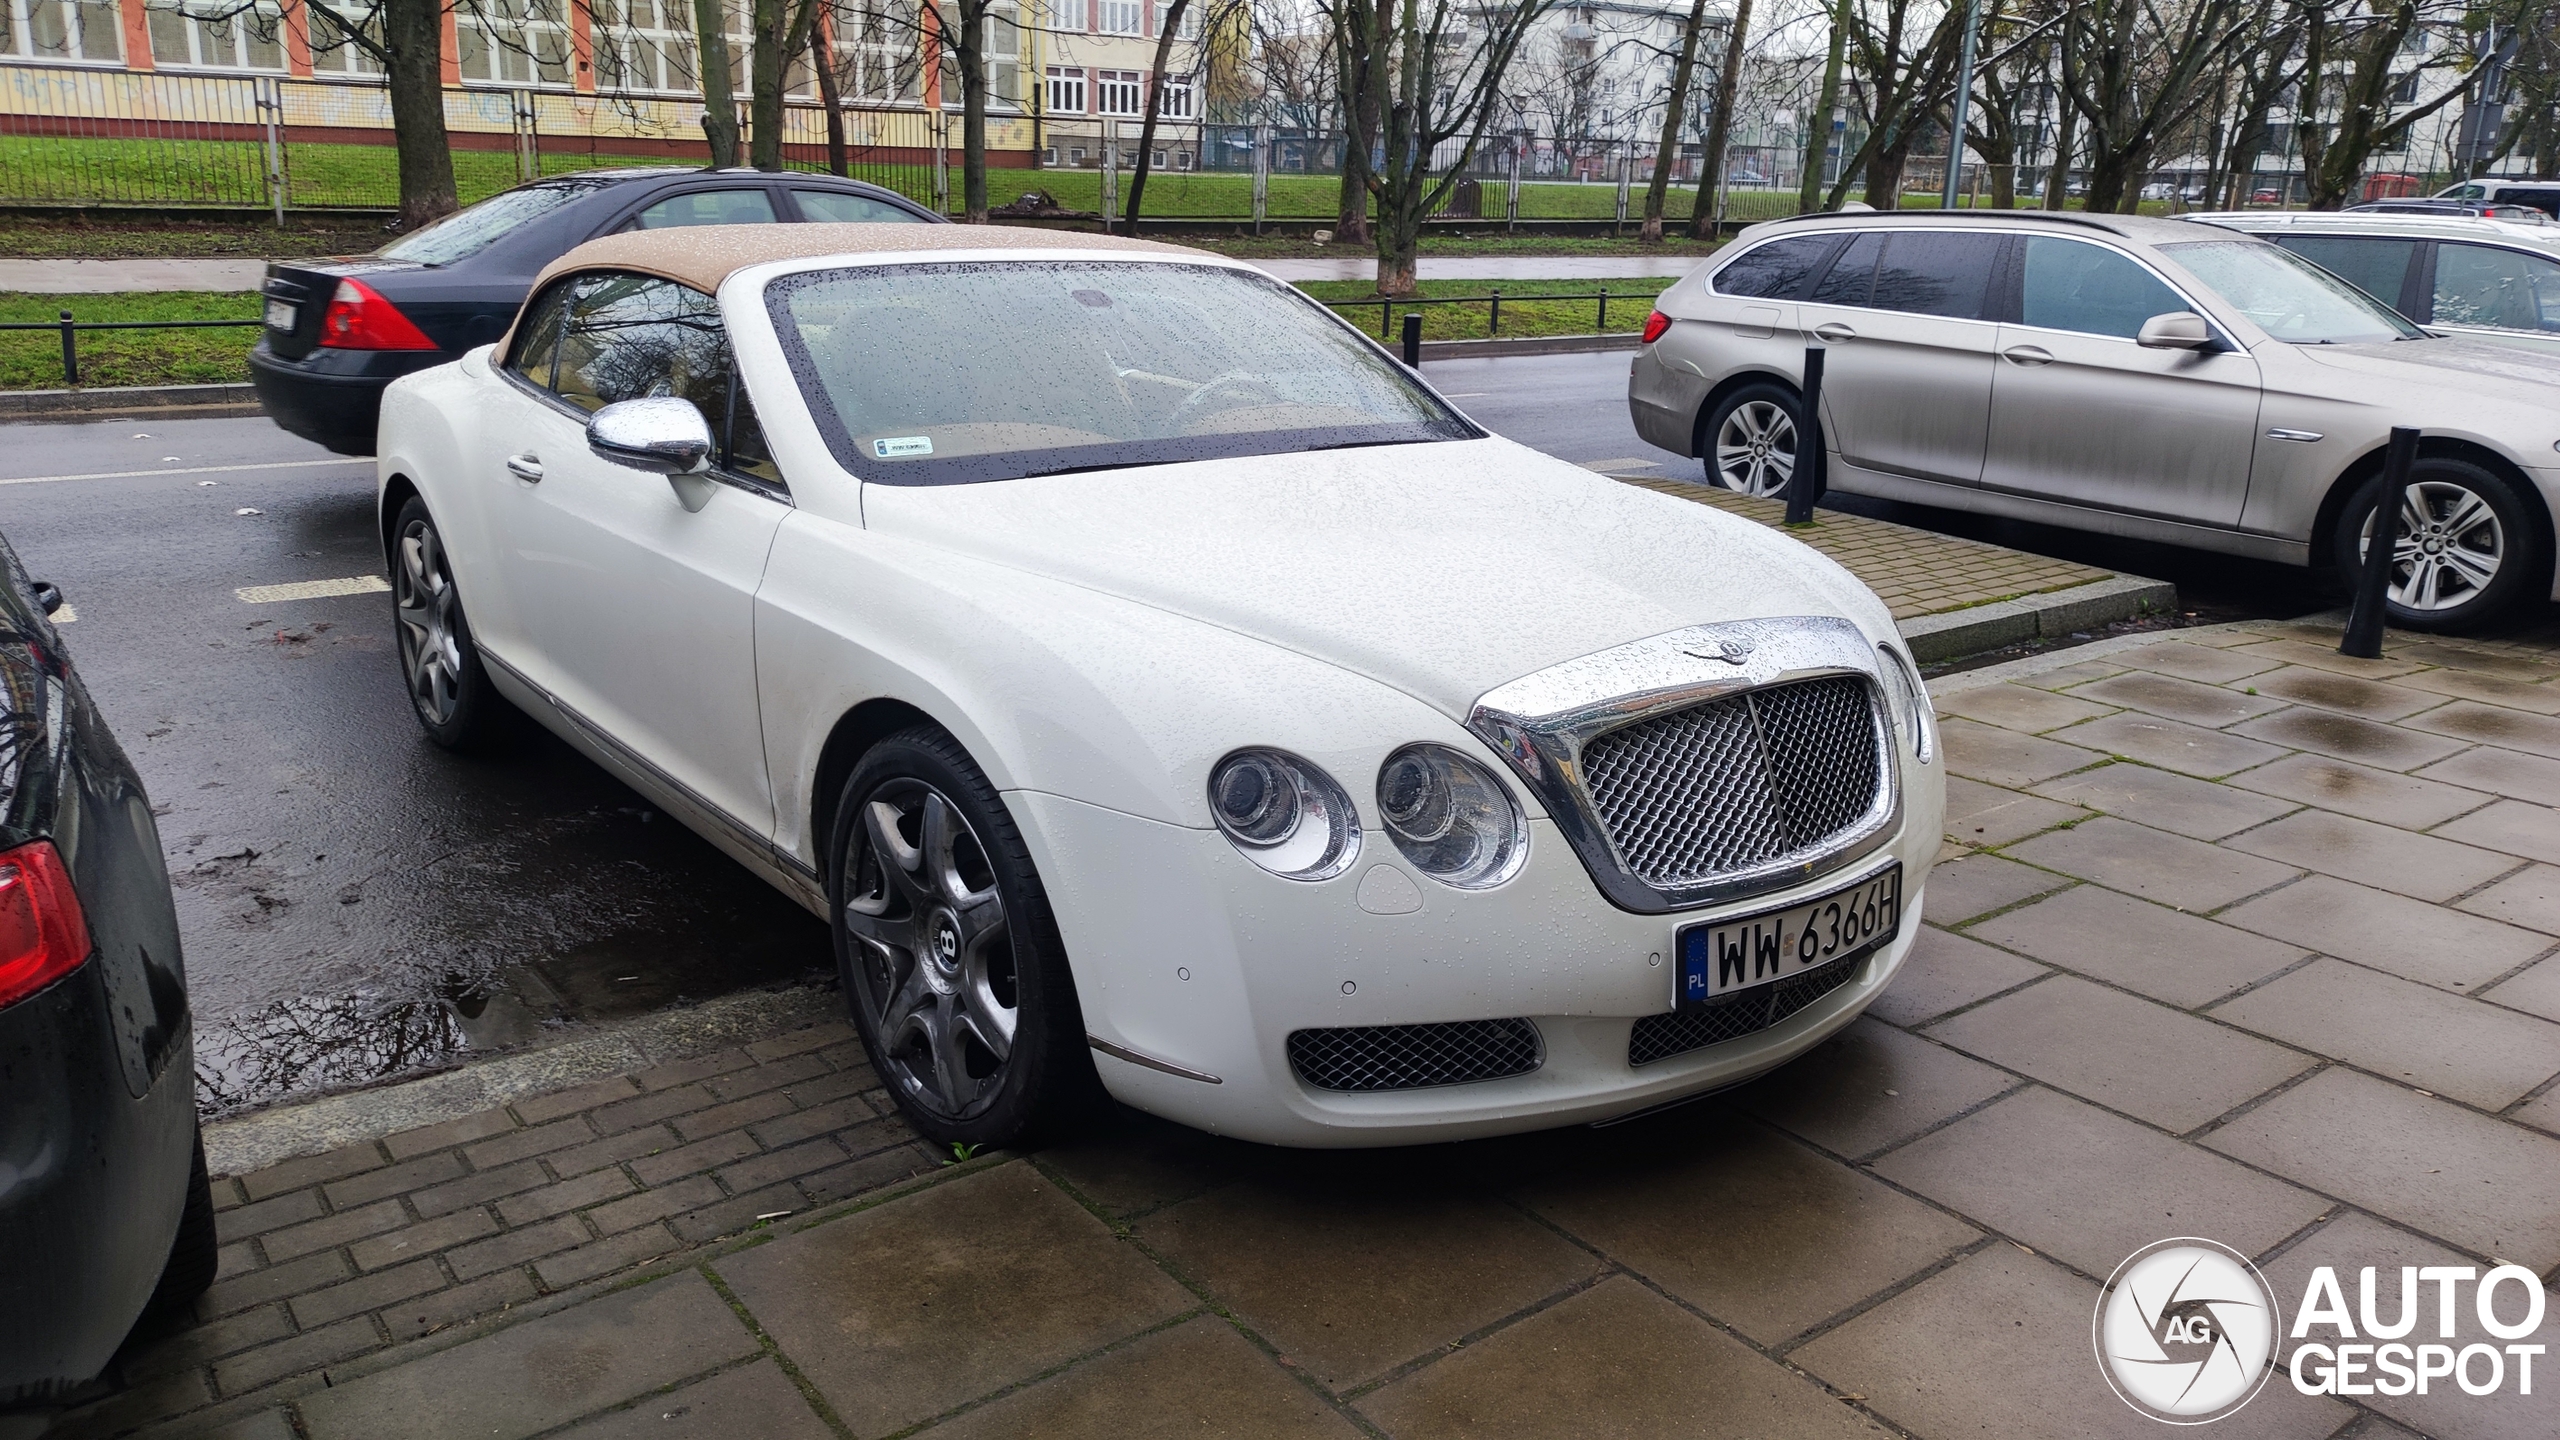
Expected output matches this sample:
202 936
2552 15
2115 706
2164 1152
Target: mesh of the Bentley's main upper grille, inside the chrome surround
1737 783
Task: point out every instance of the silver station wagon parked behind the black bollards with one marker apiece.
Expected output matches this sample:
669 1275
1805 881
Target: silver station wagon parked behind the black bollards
2121 375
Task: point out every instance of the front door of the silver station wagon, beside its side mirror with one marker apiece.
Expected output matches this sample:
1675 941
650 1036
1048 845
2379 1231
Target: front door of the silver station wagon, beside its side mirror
2085 416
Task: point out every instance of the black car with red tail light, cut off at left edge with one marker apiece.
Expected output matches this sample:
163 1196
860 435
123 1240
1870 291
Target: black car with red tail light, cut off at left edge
104 1203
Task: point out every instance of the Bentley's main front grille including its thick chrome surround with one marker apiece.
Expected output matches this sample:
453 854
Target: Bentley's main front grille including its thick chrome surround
1622 749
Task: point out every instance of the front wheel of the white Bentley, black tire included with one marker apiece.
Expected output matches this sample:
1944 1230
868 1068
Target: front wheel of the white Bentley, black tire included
928 978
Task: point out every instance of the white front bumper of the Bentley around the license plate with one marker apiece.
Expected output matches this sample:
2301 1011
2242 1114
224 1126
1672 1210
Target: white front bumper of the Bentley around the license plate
1192 957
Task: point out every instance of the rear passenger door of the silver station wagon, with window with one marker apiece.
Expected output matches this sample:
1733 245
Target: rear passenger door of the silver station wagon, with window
1906 352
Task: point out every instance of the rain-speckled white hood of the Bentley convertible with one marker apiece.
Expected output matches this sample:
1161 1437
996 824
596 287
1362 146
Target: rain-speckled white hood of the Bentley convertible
1443 570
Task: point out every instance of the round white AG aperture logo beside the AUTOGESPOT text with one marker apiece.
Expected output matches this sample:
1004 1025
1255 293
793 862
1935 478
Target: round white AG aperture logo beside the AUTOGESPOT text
2188 1331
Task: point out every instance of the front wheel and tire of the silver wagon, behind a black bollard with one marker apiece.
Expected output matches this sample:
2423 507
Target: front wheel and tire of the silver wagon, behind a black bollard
2513 534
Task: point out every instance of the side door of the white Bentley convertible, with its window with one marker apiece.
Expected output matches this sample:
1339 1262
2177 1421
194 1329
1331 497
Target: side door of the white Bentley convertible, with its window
636 611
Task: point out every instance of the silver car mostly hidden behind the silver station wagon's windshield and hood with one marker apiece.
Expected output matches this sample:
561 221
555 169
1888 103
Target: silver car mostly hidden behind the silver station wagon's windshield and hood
2490 281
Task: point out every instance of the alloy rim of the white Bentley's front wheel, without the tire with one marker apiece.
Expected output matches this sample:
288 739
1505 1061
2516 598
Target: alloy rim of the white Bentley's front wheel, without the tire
933 949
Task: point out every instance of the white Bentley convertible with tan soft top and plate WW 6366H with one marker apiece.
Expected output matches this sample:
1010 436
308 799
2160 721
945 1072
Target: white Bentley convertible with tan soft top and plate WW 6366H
1153 680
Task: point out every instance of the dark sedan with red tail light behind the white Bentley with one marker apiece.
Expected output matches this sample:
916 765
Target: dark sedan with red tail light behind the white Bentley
342 329
